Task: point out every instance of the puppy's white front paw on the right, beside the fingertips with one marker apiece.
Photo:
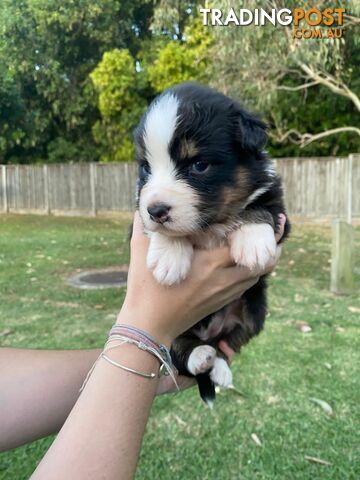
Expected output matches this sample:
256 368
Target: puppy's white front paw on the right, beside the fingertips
253 245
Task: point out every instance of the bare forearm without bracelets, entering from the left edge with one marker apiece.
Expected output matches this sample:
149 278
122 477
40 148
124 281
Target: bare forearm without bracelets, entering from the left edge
38 389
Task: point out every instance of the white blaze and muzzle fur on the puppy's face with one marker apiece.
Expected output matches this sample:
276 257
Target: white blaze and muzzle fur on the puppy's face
162 185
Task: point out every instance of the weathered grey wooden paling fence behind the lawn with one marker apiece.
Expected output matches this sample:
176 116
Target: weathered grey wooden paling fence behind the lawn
314 187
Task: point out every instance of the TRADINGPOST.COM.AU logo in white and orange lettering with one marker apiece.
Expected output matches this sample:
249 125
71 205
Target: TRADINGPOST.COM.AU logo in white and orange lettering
307 23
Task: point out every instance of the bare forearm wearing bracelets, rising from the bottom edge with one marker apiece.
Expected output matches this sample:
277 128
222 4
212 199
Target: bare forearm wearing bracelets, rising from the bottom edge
102 435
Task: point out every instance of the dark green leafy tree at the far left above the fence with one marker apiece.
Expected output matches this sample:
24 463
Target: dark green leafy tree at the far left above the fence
48 48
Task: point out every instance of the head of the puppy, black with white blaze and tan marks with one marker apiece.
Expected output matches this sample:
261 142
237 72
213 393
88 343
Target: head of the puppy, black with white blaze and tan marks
199 155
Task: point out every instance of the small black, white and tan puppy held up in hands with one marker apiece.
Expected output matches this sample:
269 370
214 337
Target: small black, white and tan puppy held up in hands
204 180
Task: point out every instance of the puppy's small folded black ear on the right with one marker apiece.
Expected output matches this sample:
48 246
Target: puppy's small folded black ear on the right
251 131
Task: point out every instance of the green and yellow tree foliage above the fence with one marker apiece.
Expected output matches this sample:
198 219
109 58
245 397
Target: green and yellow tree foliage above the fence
75 76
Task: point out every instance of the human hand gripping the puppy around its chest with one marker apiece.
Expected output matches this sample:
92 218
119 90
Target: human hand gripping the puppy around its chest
166 312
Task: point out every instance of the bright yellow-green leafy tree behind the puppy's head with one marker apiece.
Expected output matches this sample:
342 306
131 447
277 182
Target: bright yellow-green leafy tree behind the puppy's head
177 51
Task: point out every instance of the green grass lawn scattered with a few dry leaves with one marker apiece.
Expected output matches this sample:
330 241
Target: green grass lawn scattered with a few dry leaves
277 373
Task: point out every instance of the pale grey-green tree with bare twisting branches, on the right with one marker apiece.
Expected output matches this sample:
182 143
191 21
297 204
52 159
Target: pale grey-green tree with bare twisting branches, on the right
306 87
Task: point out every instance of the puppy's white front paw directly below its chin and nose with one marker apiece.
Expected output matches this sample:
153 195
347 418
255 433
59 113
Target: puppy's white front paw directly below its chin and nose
169 258
